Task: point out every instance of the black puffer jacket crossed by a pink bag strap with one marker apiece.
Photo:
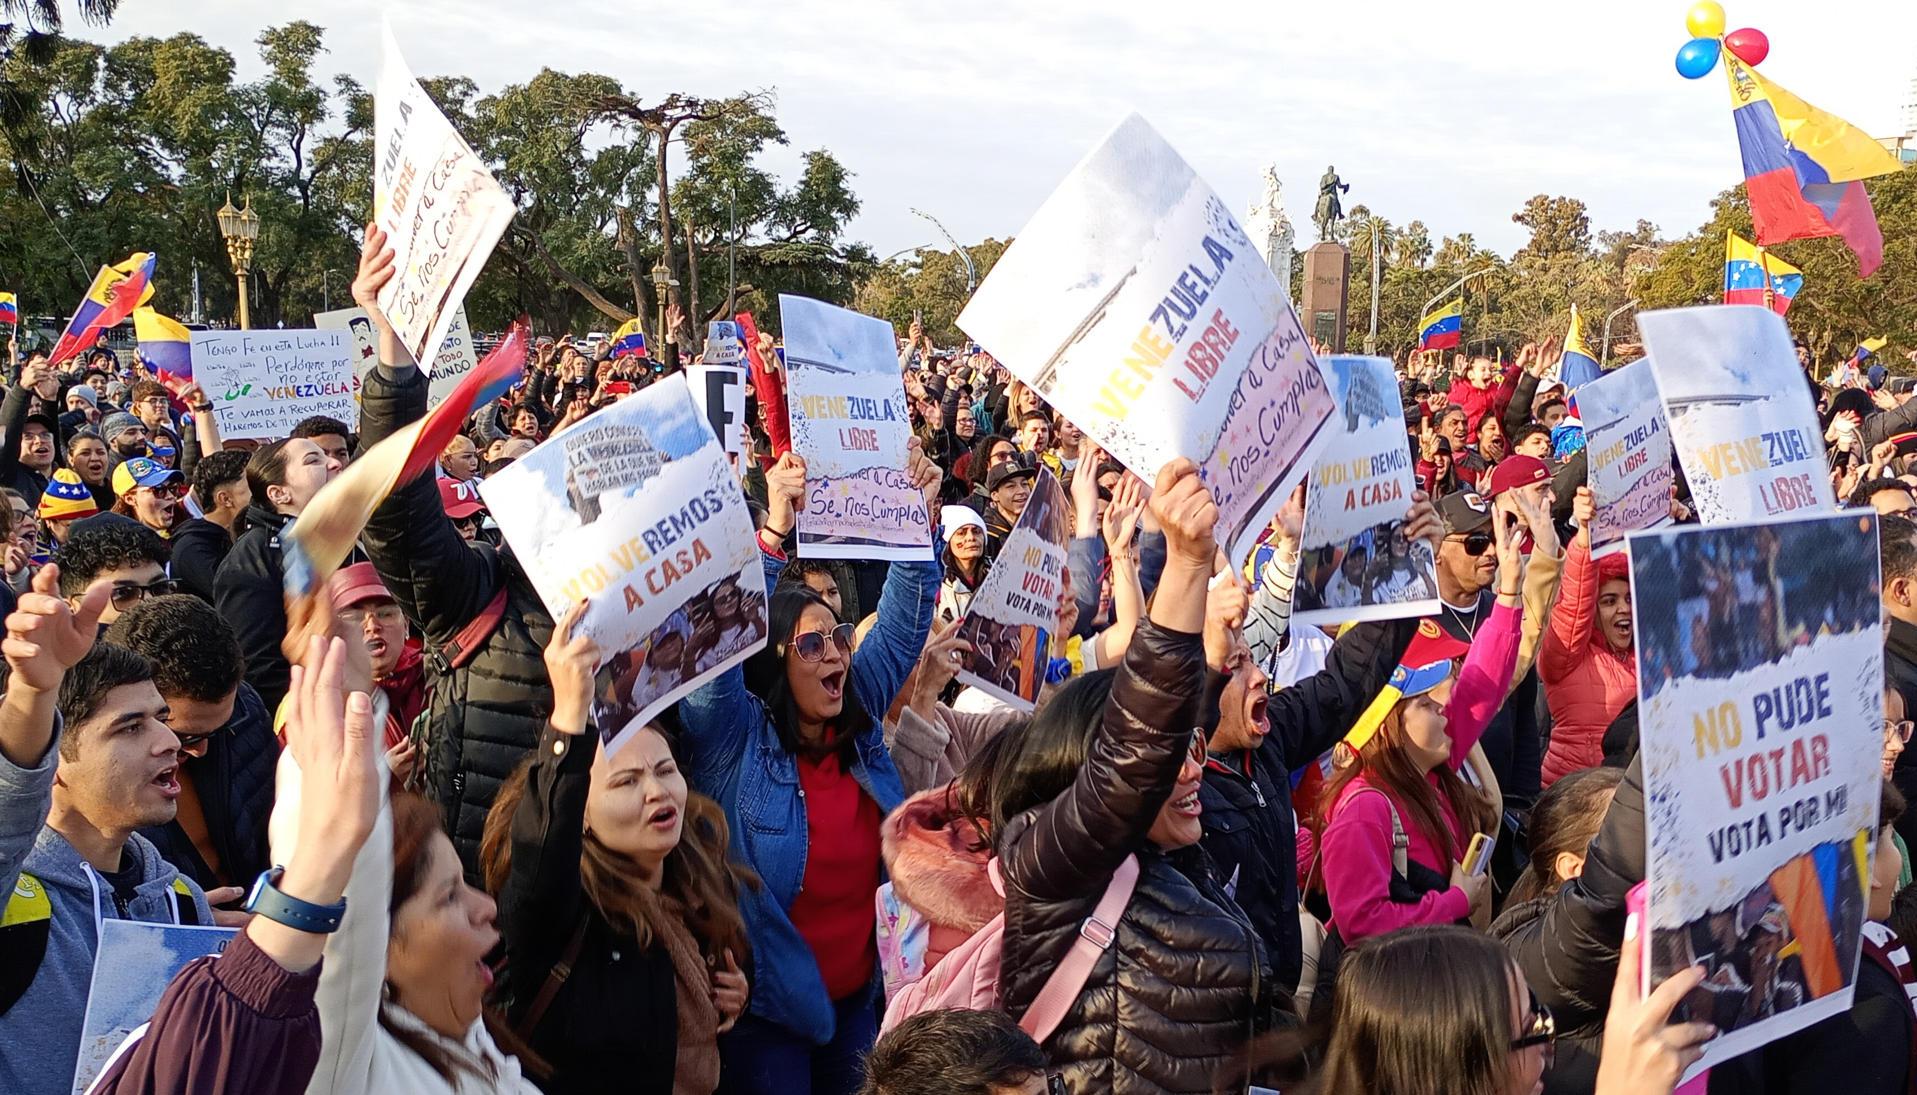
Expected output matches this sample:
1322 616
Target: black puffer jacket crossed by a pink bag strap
1184 985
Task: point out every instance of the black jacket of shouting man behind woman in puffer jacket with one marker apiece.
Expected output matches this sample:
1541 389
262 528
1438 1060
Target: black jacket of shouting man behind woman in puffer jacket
1249 827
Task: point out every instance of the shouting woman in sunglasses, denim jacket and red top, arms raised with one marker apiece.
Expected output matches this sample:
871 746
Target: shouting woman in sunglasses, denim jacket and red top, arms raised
791 745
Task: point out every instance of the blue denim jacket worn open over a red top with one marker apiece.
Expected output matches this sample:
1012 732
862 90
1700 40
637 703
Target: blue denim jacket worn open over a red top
735 757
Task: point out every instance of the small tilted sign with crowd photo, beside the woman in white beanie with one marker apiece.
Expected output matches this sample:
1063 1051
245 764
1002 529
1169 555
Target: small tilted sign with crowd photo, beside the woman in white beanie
1015 611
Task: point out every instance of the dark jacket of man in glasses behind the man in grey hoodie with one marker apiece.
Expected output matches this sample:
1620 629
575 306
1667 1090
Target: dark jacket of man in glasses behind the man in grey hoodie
235 785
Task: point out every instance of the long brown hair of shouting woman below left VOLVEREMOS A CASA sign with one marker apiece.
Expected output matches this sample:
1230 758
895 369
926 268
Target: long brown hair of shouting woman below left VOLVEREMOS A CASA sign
697 875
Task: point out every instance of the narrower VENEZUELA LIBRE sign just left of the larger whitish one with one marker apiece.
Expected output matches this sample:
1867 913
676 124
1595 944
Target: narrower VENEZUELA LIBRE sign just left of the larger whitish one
1628 454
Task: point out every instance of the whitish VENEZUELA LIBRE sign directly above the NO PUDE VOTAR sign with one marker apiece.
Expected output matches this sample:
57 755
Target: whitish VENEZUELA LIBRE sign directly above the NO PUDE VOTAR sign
1740 411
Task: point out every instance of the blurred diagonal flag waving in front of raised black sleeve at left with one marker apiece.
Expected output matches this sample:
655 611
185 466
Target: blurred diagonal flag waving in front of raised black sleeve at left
327 530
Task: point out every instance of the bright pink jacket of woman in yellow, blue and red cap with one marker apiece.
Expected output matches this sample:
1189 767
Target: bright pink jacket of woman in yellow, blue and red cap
1358 843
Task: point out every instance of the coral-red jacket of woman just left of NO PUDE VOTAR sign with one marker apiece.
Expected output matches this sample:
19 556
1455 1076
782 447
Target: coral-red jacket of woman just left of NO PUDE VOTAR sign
1586 682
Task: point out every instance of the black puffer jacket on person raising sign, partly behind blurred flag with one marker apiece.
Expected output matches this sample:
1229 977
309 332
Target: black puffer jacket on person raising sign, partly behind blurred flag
492 711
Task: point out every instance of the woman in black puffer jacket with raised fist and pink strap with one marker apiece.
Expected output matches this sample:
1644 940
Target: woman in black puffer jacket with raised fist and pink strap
1107 778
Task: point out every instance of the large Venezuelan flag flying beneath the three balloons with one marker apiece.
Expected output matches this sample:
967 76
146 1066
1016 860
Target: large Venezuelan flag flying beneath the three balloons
1805 170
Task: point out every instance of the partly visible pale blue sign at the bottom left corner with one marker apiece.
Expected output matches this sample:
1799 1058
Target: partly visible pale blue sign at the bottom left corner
133 966
